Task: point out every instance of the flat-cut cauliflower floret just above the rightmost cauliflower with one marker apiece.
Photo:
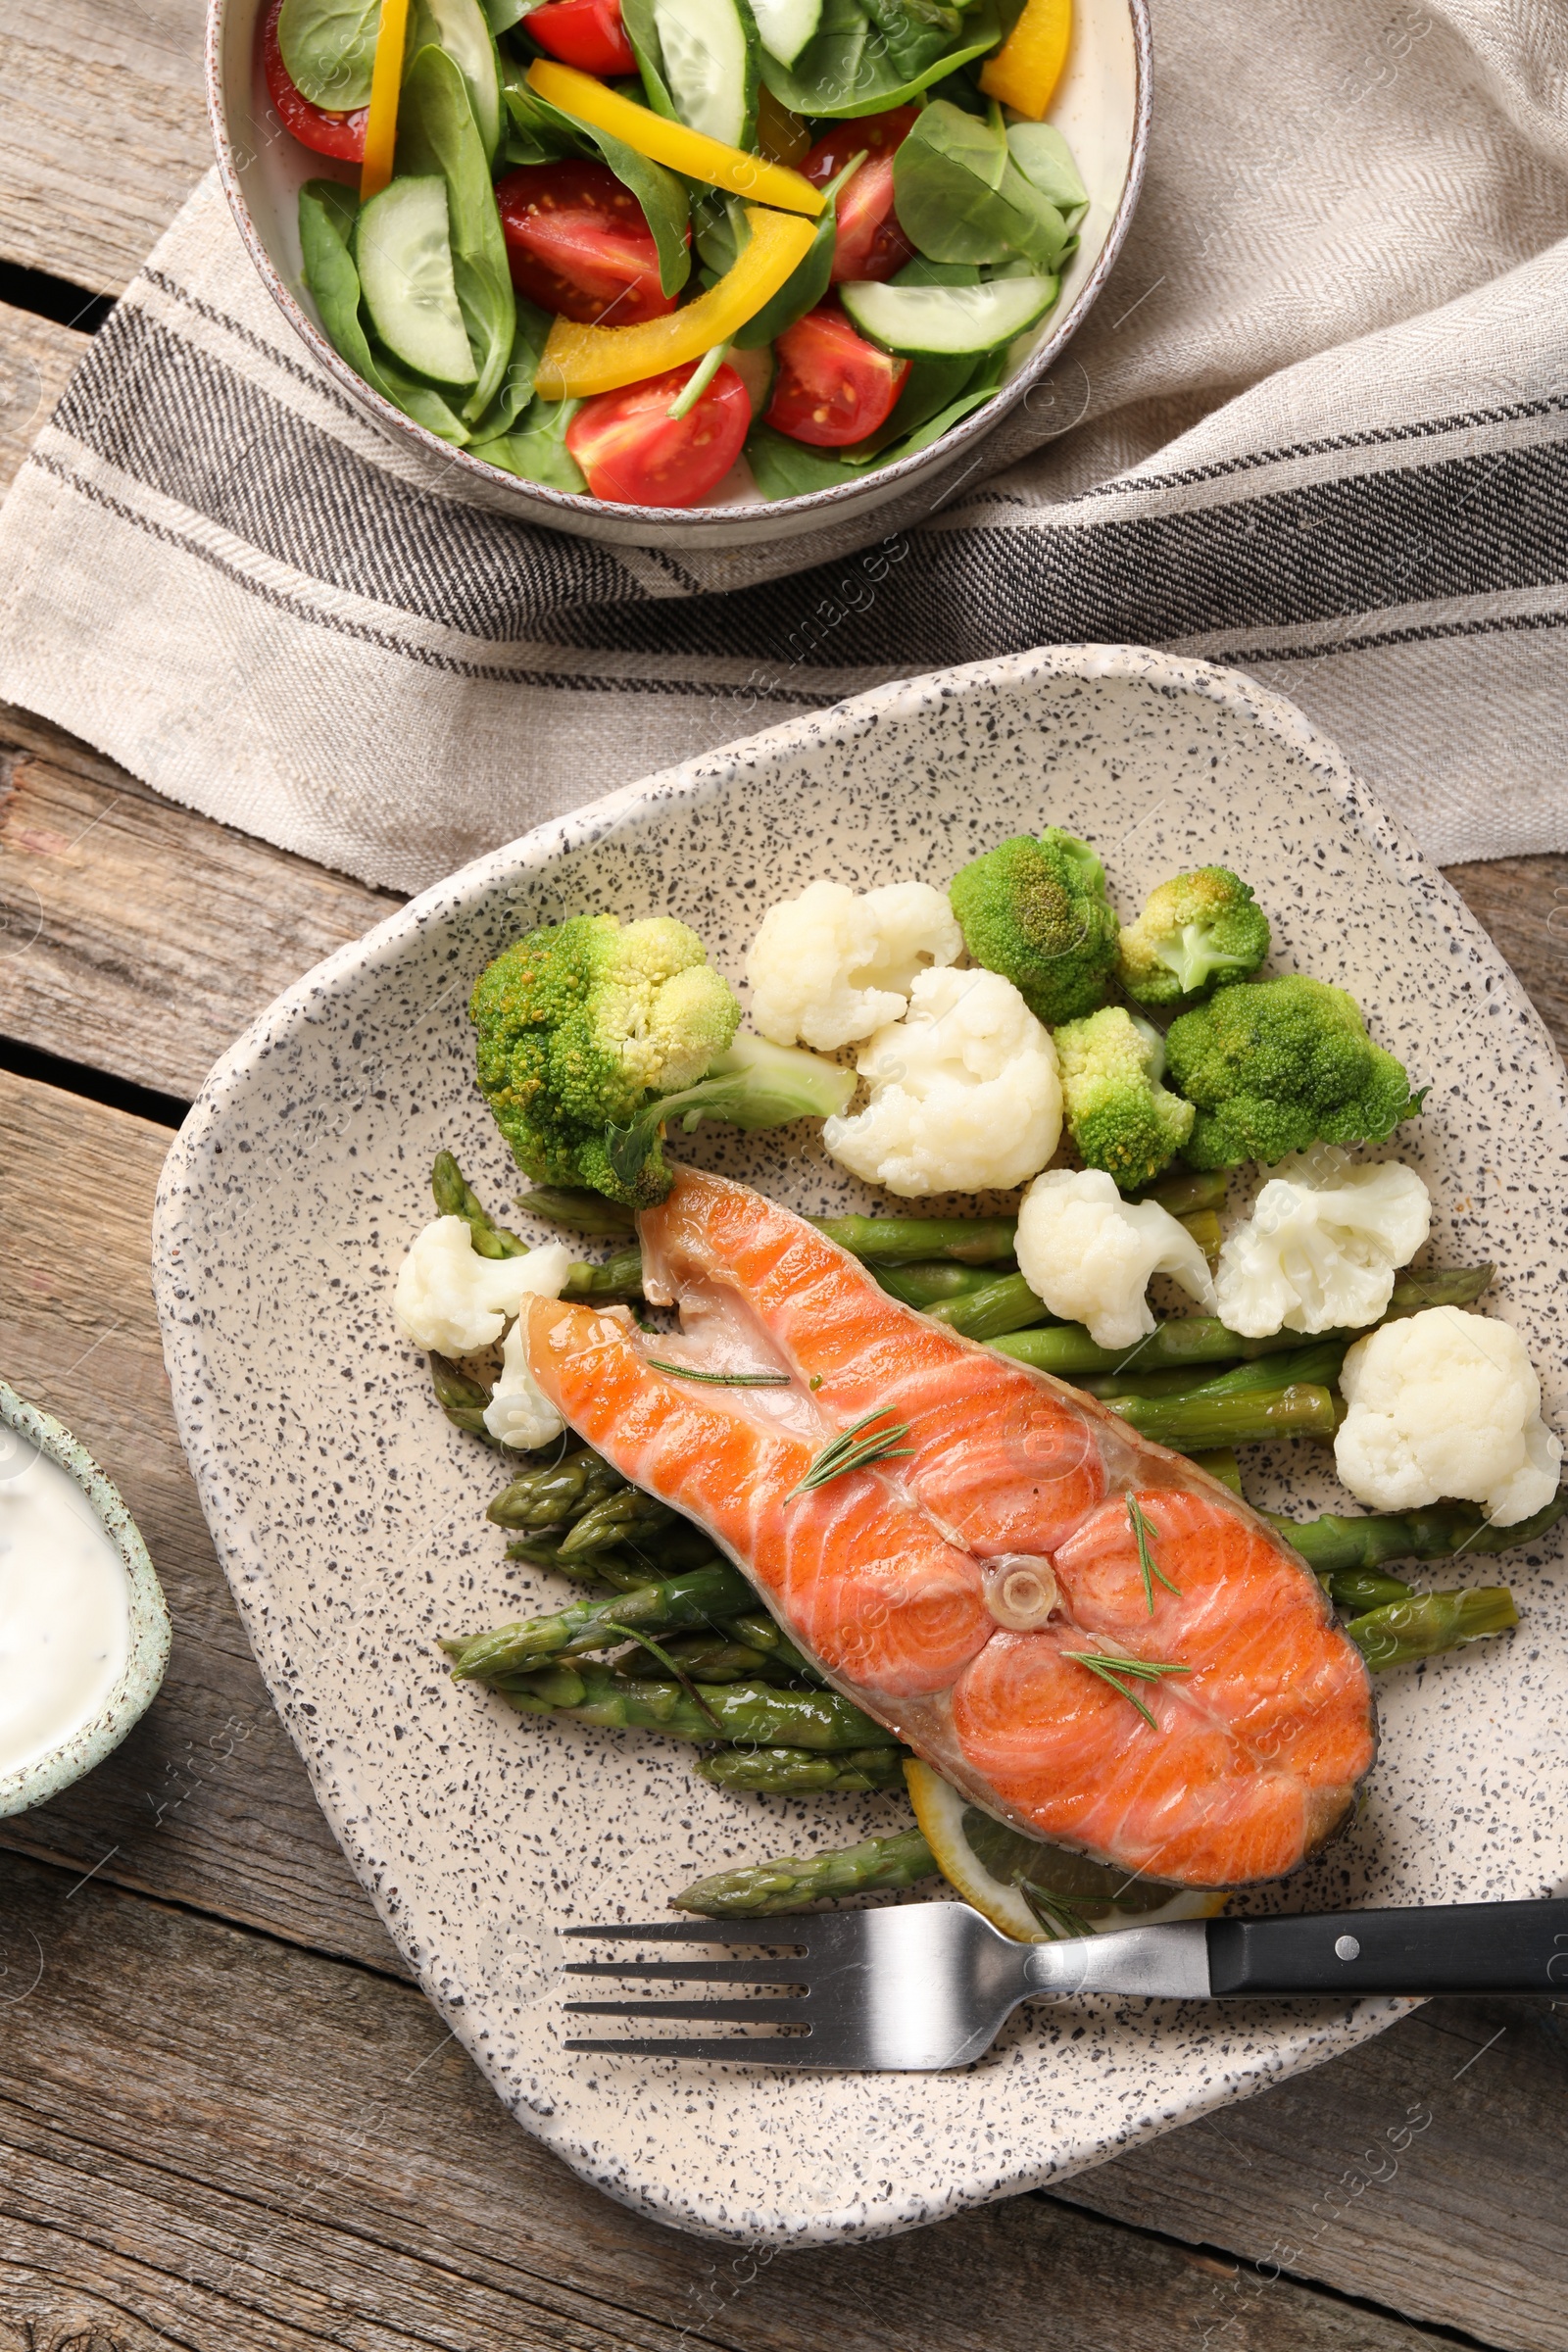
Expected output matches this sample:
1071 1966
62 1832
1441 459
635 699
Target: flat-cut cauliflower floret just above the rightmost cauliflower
1320 1248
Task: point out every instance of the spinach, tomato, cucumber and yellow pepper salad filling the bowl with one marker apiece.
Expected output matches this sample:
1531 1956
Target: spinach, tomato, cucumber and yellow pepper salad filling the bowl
624 246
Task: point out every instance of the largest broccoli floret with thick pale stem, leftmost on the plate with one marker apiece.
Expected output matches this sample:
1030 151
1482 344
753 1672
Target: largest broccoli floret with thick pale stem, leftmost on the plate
596 1034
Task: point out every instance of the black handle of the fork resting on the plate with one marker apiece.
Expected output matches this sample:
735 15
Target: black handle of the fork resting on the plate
1442 1949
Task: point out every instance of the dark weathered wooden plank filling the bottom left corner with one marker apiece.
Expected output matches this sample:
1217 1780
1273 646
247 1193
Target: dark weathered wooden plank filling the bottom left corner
241 2144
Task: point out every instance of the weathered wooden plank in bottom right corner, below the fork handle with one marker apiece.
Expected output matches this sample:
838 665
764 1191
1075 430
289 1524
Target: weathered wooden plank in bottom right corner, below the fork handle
1426 2174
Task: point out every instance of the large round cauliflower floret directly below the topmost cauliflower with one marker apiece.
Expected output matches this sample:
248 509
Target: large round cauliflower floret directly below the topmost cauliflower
965 1093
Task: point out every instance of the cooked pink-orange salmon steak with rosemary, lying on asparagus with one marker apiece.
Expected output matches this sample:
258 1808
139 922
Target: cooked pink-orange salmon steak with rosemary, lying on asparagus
890 1577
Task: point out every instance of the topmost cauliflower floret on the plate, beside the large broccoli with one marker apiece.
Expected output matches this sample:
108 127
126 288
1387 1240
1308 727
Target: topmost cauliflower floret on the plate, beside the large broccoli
831 965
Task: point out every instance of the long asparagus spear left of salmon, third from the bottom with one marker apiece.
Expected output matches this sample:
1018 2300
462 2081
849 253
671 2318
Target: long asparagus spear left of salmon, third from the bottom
753 1713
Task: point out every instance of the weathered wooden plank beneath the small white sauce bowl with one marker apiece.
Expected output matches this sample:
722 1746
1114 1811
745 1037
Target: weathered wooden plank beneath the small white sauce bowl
208 1798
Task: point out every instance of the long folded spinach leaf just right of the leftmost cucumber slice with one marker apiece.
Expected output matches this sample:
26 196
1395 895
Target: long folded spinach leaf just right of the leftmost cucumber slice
436 133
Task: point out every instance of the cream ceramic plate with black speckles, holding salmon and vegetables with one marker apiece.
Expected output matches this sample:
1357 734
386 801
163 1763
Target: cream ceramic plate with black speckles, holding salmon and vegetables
349 1514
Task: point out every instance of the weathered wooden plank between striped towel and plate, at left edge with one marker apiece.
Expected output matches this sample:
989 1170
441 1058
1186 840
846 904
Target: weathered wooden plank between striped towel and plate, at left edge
145 940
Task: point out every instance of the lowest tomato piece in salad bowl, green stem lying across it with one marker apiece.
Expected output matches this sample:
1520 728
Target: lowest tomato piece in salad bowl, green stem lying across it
636 455
